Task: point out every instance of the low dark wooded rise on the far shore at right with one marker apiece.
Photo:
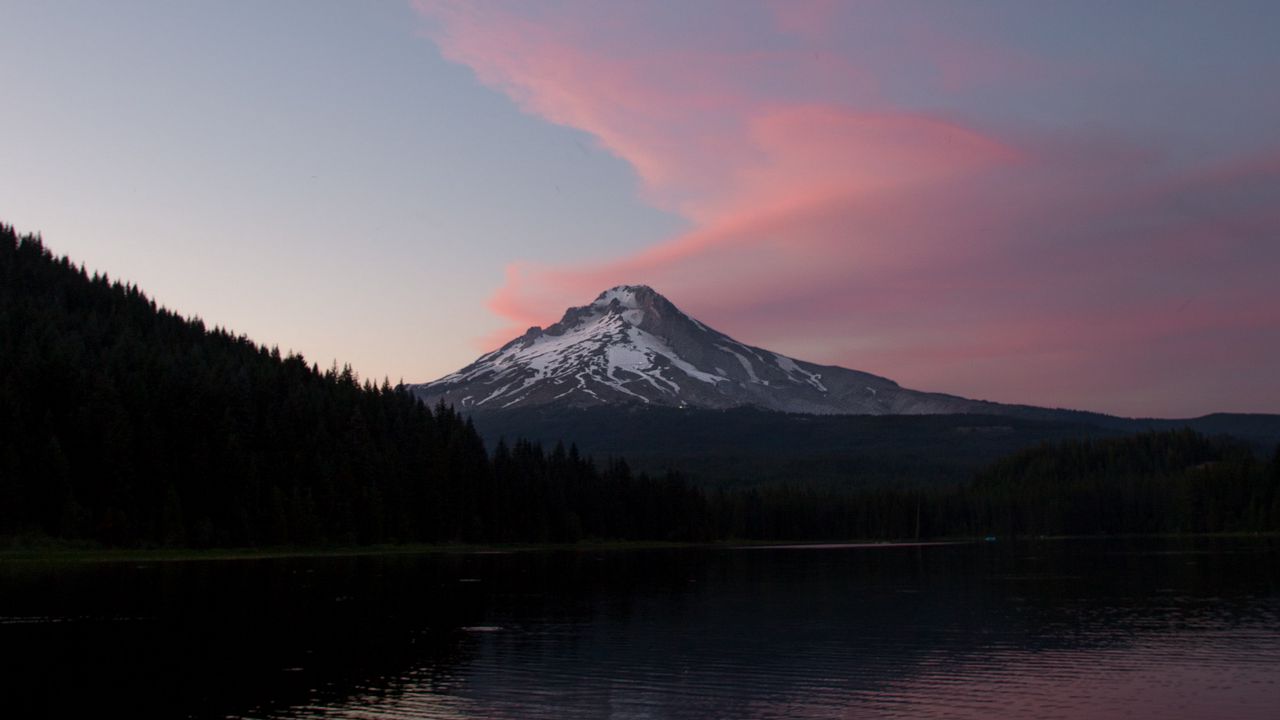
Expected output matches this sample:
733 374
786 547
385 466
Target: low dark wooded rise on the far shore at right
1160 482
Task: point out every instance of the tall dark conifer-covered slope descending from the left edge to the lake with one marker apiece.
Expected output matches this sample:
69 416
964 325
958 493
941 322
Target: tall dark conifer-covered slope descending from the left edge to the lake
124 423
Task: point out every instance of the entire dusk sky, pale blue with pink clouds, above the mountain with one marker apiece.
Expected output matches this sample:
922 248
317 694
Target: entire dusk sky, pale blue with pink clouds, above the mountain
1072 204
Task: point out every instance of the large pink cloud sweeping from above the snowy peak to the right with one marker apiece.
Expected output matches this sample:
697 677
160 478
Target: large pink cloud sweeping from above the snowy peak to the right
1069 272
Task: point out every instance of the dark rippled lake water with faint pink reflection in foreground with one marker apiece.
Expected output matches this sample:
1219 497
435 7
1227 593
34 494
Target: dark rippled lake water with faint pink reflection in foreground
1055 630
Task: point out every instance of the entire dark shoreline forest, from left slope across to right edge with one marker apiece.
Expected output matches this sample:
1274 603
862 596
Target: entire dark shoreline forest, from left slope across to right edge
124 423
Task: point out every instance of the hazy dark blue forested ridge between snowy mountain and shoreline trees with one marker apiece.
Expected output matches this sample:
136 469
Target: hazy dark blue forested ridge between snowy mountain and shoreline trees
747 448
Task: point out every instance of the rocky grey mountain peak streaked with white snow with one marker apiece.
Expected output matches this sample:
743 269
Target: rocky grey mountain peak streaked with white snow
633 347
